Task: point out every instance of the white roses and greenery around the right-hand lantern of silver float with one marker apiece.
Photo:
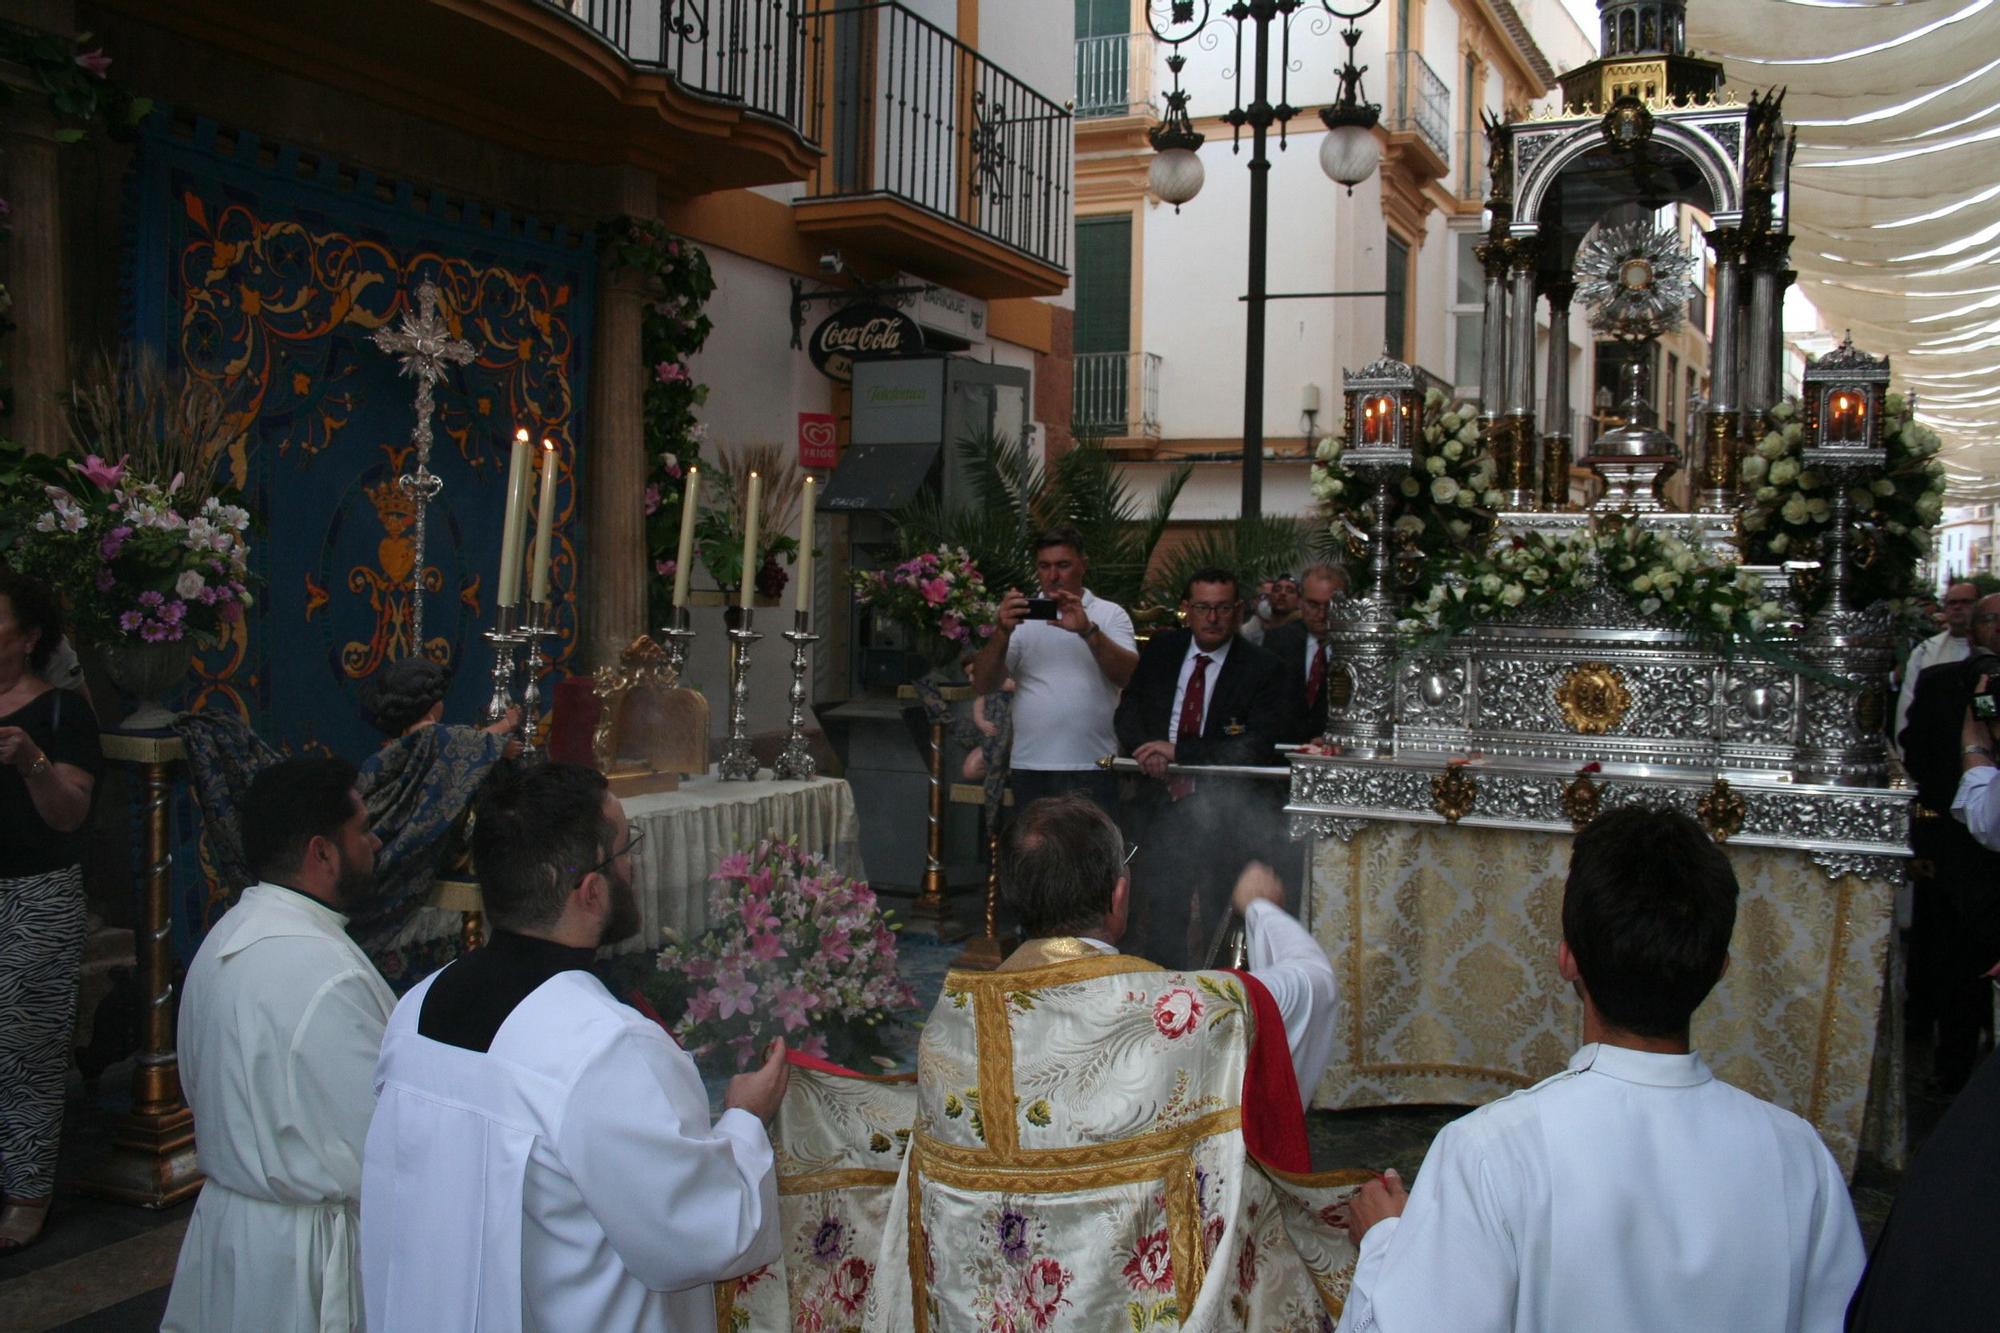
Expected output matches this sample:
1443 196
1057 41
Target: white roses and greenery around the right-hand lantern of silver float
1891 519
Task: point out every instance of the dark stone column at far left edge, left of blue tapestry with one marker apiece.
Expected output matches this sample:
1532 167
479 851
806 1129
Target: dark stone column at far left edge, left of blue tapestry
35 269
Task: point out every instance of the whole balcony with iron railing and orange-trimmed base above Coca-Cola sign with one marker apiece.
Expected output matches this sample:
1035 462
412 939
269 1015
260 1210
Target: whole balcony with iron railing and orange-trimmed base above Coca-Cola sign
937 159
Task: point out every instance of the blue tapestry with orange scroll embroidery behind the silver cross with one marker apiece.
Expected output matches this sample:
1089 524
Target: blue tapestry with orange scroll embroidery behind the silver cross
267 271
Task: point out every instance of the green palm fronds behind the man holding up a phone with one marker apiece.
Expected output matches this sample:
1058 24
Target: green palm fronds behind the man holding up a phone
1015 497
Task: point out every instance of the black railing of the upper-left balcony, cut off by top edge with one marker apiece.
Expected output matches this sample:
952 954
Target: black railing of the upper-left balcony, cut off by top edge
751 53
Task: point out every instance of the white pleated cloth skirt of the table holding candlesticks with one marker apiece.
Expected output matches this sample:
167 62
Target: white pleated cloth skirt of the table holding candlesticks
691 830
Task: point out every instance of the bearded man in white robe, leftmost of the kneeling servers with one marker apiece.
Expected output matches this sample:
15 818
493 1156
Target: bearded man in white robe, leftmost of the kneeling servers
281 1026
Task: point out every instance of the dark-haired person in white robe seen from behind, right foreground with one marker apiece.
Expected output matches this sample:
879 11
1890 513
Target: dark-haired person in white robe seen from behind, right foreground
1635 1190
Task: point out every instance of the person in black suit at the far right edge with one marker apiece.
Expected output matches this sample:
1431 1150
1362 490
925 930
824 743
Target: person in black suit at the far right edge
1957 932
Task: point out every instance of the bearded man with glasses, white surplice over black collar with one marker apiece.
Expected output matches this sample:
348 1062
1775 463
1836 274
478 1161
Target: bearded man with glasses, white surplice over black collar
543 1156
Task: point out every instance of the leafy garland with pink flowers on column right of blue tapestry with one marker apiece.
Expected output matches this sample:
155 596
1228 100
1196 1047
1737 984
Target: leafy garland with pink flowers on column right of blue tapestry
673 329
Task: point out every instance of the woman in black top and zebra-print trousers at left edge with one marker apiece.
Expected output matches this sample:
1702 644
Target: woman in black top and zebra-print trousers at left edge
49 768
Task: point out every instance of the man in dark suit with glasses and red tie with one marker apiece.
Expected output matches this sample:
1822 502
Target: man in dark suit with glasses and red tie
1201 698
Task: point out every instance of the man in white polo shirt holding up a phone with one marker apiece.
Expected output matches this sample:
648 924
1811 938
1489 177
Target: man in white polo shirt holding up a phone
1067 678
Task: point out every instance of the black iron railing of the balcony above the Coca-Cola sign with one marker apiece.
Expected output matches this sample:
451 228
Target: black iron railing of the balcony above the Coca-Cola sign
909 111
